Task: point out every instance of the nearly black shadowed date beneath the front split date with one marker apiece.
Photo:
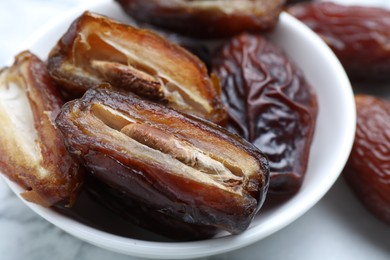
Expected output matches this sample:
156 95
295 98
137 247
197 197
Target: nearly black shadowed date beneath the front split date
141 215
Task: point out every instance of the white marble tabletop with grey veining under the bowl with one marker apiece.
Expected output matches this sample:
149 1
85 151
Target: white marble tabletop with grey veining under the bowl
338 227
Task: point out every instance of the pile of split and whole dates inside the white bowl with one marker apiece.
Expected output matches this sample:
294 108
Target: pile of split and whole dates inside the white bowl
148 130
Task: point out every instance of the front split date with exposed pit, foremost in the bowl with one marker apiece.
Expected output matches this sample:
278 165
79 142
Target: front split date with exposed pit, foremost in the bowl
179 165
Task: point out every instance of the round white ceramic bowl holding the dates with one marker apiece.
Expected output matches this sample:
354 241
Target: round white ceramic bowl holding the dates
330 149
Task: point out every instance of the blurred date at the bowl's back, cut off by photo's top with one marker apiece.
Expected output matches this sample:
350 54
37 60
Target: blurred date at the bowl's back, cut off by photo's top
206 19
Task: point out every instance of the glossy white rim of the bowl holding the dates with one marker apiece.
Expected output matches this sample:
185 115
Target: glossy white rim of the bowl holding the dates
160 250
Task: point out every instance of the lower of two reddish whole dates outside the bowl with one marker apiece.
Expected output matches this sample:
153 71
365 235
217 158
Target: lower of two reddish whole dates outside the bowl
368 170
